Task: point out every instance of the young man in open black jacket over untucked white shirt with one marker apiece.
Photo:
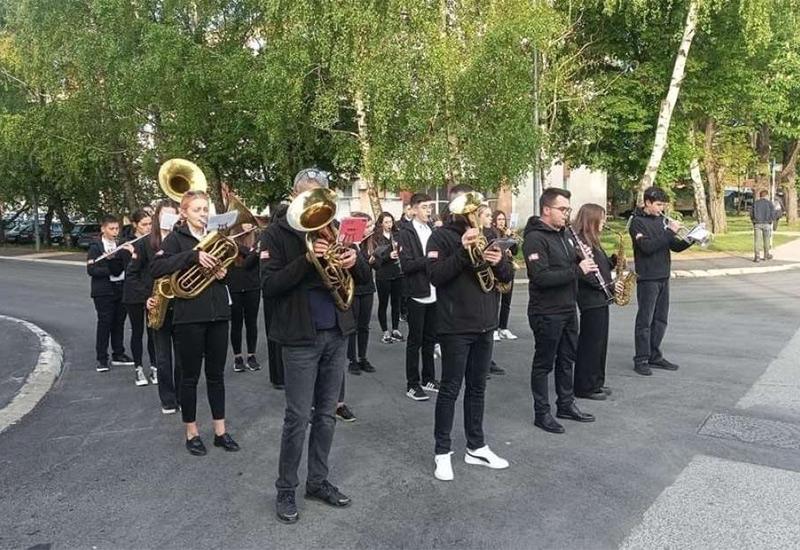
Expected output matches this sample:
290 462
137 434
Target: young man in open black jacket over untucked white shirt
413 238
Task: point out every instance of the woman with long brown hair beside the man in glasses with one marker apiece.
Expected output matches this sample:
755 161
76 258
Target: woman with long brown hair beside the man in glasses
593 303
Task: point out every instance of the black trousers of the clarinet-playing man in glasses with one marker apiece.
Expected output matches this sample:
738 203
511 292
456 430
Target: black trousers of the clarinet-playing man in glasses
556 339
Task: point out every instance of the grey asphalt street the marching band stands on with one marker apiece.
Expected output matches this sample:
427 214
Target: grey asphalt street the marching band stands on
97 465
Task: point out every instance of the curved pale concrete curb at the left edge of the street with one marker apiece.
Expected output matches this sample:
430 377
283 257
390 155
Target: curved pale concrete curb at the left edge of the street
47 370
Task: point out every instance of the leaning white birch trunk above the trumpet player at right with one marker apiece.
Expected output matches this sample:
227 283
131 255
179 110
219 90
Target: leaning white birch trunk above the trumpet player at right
665 115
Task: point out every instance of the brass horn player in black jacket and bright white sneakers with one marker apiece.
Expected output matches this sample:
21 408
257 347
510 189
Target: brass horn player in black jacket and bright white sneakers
466 320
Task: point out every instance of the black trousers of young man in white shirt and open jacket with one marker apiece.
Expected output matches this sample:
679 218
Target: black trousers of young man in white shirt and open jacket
421 336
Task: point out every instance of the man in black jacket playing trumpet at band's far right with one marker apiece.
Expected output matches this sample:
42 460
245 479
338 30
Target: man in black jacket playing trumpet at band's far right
653 238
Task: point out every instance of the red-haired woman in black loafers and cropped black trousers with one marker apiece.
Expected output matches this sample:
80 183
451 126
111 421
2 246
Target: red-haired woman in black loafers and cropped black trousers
200 324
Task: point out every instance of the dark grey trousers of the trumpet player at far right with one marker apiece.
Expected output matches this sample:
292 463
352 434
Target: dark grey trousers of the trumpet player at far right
651 319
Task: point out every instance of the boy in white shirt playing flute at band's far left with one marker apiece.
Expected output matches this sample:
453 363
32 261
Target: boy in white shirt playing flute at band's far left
107 276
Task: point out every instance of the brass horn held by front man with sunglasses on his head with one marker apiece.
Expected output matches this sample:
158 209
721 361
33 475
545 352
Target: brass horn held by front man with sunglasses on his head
312 212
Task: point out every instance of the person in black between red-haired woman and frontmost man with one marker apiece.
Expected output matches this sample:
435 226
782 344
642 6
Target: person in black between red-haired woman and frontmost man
244 285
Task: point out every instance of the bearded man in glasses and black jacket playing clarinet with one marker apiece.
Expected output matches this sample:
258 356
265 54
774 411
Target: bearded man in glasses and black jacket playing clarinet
554 267
